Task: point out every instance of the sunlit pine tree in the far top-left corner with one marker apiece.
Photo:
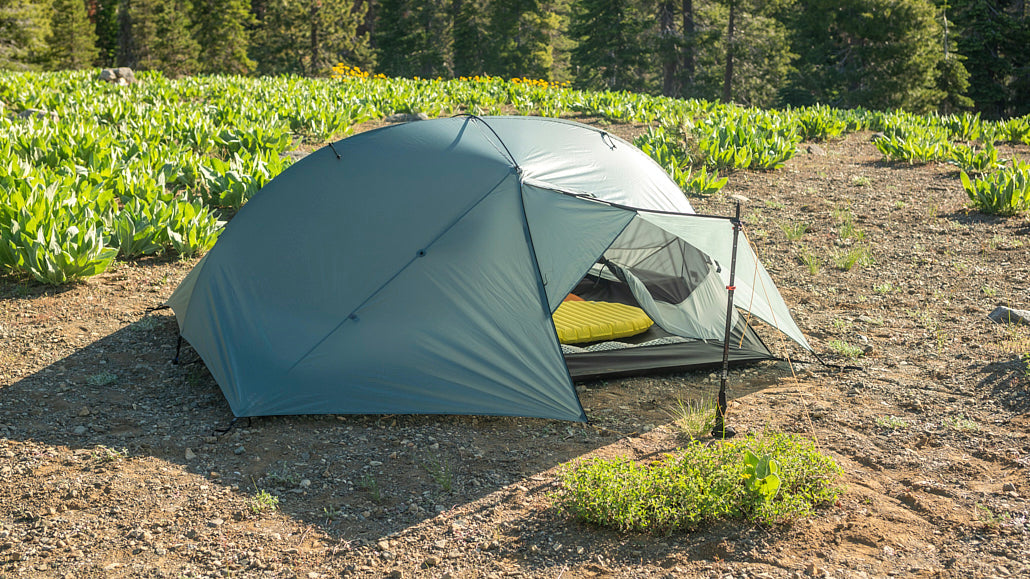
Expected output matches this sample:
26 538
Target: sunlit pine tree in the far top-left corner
24 27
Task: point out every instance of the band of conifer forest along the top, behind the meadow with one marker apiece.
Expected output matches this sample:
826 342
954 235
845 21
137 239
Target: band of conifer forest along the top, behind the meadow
921 56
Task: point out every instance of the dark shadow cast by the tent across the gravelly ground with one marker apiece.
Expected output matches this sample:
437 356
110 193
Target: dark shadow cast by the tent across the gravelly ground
359 479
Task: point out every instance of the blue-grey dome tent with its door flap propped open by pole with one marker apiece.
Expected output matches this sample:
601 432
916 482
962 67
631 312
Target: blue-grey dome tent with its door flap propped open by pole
415 269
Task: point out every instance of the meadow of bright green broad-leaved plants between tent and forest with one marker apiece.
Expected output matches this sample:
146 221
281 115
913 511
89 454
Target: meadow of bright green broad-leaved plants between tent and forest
91 172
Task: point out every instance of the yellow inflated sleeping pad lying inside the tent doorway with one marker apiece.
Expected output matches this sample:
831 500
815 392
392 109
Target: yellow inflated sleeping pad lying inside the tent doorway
596 322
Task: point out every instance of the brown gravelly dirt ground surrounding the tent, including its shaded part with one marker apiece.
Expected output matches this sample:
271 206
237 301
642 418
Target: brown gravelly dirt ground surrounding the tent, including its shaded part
110 465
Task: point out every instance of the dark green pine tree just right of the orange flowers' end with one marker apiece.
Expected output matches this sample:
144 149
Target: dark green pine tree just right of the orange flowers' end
609 53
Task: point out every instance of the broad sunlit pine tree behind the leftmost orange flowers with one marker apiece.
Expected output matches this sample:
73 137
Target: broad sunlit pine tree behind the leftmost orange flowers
310 38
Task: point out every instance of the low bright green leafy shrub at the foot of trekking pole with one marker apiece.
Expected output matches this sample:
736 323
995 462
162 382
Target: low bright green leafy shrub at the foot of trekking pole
702 484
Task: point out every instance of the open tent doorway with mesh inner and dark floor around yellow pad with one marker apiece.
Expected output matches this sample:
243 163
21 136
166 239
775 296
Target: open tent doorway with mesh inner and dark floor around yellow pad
665 273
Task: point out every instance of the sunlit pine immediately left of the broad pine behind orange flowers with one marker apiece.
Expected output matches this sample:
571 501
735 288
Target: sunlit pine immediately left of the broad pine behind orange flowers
223 32
